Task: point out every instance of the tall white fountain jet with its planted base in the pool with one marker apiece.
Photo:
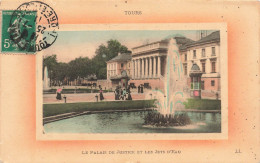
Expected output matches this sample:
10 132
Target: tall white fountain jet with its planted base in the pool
172 97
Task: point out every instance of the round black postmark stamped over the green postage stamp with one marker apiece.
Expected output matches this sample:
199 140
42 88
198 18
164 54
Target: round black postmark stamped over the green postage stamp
30 34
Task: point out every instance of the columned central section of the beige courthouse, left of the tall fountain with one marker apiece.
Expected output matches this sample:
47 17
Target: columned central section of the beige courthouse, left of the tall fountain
149 62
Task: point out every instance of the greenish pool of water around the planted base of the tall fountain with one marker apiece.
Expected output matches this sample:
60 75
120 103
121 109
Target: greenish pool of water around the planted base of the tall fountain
133 122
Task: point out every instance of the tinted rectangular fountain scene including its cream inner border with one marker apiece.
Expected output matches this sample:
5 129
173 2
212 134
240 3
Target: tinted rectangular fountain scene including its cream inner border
123 81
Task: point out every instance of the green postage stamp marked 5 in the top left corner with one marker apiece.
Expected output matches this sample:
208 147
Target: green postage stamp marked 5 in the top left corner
18 31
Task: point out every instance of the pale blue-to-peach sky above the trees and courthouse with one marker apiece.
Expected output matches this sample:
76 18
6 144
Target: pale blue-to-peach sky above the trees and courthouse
73 44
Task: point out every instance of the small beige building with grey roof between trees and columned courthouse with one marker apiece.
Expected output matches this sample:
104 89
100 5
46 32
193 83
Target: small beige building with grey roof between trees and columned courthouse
119 69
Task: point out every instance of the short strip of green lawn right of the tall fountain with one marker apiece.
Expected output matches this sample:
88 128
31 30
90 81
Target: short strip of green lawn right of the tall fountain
203 104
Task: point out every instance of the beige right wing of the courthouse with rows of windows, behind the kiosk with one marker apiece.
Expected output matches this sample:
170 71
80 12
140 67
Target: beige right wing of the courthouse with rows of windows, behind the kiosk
206 54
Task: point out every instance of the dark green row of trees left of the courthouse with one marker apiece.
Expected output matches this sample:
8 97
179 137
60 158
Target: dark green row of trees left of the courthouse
83 66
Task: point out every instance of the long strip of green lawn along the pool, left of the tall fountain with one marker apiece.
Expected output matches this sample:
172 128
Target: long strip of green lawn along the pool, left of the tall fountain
55 109
